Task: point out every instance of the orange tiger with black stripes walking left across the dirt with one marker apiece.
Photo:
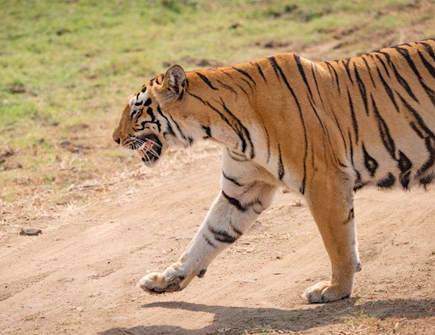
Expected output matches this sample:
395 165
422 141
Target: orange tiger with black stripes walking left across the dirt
321 129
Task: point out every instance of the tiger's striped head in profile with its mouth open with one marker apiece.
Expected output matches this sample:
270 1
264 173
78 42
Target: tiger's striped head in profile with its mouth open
146 125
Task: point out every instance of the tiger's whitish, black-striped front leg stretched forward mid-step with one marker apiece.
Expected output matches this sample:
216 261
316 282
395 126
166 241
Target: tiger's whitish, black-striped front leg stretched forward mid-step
233 211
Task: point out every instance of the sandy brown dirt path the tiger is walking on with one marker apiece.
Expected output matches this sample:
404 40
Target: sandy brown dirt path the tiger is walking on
79 276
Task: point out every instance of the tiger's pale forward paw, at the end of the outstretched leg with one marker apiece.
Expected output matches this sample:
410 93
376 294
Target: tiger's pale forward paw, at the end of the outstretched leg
160 282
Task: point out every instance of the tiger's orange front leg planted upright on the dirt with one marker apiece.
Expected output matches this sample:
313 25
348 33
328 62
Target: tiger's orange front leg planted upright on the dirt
331 204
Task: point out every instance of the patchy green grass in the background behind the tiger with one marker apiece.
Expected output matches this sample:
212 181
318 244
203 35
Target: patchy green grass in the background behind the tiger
65 63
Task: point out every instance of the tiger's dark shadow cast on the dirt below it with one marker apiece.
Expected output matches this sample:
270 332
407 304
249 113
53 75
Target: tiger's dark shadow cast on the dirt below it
238 320
